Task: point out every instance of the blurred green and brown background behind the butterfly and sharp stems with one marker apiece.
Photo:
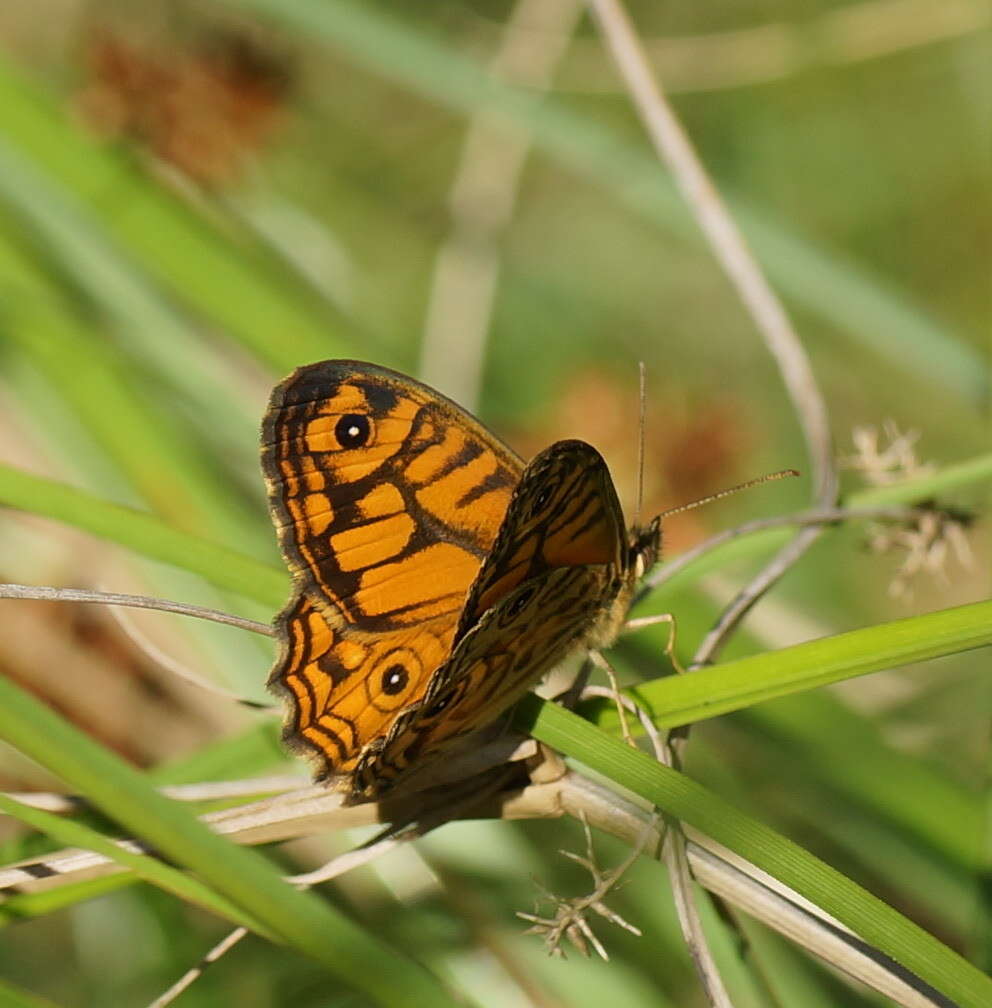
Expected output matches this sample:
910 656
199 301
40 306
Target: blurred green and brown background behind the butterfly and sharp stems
198 197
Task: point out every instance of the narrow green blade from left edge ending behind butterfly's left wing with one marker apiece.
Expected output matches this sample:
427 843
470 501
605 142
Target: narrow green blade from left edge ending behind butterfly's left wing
145 535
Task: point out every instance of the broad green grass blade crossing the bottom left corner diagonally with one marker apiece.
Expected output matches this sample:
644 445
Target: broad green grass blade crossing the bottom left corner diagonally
299 919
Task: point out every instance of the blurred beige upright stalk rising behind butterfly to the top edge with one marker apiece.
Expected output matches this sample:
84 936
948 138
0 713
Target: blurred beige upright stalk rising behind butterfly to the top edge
482 202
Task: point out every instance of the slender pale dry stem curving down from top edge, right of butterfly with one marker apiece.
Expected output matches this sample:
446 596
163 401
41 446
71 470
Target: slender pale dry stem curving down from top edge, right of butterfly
674 148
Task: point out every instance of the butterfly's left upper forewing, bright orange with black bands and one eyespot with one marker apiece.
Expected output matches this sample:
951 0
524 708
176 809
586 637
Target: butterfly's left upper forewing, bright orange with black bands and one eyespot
387 497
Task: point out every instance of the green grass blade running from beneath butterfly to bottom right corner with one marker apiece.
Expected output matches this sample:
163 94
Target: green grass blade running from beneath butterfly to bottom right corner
677 795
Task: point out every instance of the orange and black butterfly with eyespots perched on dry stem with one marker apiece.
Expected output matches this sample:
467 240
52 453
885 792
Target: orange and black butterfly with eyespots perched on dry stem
437 578
